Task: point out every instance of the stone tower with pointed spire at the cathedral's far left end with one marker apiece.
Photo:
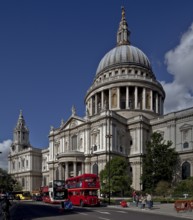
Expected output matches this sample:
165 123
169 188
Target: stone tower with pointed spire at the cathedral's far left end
25 161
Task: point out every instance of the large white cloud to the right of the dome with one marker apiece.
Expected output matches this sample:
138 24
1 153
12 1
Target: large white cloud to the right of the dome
179 61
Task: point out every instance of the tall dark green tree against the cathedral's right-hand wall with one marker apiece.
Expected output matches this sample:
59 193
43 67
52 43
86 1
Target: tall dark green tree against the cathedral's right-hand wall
160 163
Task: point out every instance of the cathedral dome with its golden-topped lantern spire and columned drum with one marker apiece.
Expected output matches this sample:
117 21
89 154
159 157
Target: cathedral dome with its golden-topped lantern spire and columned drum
125 82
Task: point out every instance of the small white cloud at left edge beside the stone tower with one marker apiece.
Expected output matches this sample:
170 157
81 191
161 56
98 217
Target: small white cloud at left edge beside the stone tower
5 149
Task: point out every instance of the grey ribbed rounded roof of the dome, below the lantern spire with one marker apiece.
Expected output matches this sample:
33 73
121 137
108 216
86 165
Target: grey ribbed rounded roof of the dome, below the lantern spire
123 54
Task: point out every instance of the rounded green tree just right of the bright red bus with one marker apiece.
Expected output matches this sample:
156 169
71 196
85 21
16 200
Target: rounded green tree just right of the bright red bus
118 177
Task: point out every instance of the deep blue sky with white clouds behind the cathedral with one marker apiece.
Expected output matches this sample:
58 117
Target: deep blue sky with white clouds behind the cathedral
50 51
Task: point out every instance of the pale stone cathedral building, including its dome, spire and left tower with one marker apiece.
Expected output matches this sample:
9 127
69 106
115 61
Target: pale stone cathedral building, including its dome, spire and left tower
124 106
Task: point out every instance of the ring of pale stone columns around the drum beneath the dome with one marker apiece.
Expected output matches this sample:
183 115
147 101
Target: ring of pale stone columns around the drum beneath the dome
125 98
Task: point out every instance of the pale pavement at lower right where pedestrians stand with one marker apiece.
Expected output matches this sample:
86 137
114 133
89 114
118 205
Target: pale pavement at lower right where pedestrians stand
160 209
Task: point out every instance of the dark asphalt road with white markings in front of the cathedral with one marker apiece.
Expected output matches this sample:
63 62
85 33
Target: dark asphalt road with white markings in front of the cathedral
29 210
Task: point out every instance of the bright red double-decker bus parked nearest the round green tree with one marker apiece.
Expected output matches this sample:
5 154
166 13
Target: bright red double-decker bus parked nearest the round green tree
83 190
